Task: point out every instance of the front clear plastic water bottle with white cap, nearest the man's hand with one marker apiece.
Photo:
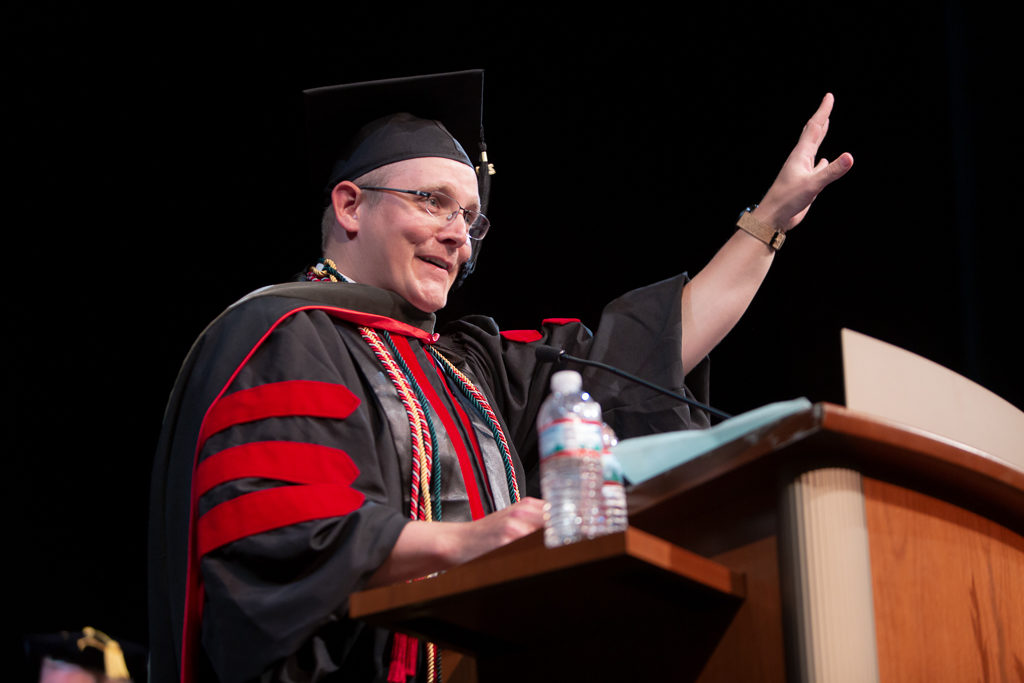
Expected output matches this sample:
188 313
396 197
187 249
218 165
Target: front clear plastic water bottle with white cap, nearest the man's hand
571 443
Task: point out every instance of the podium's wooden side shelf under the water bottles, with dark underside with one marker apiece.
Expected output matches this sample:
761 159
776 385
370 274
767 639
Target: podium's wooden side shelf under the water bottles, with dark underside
526 606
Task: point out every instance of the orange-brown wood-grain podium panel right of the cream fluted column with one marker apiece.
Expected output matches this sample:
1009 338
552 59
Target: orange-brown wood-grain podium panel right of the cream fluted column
949 590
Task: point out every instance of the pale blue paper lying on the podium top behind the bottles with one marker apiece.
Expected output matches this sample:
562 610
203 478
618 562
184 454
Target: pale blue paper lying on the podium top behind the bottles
646 457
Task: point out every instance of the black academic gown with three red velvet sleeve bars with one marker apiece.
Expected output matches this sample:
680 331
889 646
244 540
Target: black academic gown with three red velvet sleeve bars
282 480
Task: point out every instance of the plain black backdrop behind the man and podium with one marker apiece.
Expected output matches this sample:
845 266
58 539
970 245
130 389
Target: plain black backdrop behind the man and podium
155 170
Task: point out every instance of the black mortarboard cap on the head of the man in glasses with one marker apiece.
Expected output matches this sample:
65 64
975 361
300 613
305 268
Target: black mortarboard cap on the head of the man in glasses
358 127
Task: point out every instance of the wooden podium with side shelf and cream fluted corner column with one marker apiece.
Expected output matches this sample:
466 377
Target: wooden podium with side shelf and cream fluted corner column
827 546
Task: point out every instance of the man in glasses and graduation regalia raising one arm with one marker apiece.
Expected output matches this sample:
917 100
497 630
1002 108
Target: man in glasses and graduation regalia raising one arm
323 438
